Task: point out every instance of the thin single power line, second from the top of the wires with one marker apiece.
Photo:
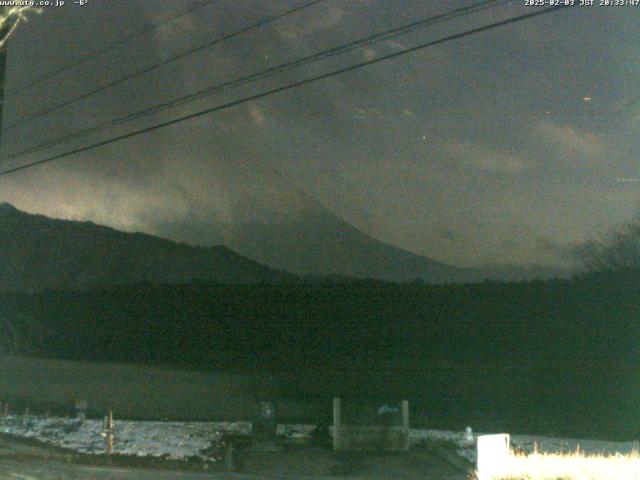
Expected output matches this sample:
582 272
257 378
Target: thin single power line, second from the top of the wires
191 51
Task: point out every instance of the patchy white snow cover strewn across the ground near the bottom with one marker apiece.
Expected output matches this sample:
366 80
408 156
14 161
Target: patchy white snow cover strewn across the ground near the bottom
183 440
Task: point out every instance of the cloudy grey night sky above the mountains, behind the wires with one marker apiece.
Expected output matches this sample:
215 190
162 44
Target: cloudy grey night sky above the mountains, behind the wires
506 147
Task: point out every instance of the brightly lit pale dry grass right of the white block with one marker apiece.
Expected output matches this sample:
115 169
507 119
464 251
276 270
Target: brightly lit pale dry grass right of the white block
571 466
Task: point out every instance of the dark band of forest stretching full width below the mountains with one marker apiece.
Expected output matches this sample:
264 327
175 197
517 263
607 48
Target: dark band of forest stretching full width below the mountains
594 319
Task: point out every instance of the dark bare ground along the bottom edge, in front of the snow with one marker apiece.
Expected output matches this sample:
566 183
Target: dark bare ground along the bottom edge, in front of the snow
28 460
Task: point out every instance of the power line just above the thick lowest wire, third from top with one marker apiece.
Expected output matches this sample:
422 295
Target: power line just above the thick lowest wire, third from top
340 49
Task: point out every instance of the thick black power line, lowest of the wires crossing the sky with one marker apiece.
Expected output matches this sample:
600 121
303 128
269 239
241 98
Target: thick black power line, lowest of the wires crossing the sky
284 88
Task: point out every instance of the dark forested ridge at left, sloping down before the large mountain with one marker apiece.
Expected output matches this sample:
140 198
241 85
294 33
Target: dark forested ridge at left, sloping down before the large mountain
38 252
